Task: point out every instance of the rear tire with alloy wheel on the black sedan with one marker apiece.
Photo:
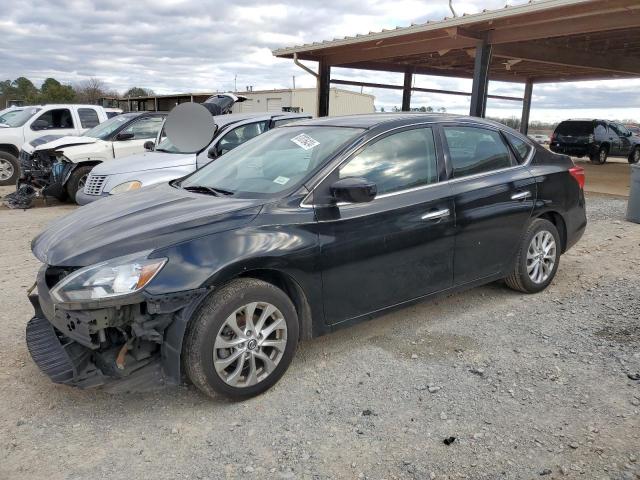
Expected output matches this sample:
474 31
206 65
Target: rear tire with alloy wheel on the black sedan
524 277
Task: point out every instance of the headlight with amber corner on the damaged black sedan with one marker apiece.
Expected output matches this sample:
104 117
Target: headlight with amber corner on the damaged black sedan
113 278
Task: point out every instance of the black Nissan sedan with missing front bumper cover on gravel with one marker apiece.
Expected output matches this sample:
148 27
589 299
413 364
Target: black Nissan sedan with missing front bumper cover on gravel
305 229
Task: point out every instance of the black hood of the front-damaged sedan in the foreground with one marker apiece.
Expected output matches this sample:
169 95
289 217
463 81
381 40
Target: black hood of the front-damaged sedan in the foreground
146 219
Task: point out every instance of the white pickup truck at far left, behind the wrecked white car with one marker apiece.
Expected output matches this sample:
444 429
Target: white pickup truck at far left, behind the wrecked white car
40 120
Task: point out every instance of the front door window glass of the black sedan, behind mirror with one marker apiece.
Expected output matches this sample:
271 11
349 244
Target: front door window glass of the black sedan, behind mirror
397 162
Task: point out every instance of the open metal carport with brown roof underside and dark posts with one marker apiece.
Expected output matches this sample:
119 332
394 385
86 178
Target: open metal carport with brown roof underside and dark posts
542 41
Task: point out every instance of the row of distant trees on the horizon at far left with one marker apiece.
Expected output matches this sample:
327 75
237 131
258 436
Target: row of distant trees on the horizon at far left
52 91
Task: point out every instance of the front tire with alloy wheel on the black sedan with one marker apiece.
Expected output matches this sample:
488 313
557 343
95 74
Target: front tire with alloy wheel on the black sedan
204 359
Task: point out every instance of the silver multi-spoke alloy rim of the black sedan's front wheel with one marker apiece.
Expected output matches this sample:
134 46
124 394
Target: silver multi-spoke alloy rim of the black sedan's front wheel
250 344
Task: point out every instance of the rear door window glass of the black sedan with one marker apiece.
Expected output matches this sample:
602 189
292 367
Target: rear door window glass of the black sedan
476 150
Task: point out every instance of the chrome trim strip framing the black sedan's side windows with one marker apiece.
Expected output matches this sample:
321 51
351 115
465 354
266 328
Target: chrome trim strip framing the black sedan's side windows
346 155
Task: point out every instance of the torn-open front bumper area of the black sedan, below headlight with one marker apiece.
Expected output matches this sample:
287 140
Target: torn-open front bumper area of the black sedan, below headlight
130 346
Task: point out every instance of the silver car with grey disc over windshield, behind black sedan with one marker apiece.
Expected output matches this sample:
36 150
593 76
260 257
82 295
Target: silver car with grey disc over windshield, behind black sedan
167 163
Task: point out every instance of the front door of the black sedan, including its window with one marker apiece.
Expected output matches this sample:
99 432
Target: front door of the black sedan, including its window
397 247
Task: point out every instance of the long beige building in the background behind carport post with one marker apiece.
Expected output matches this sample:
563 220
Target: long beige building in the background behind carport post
304 100
